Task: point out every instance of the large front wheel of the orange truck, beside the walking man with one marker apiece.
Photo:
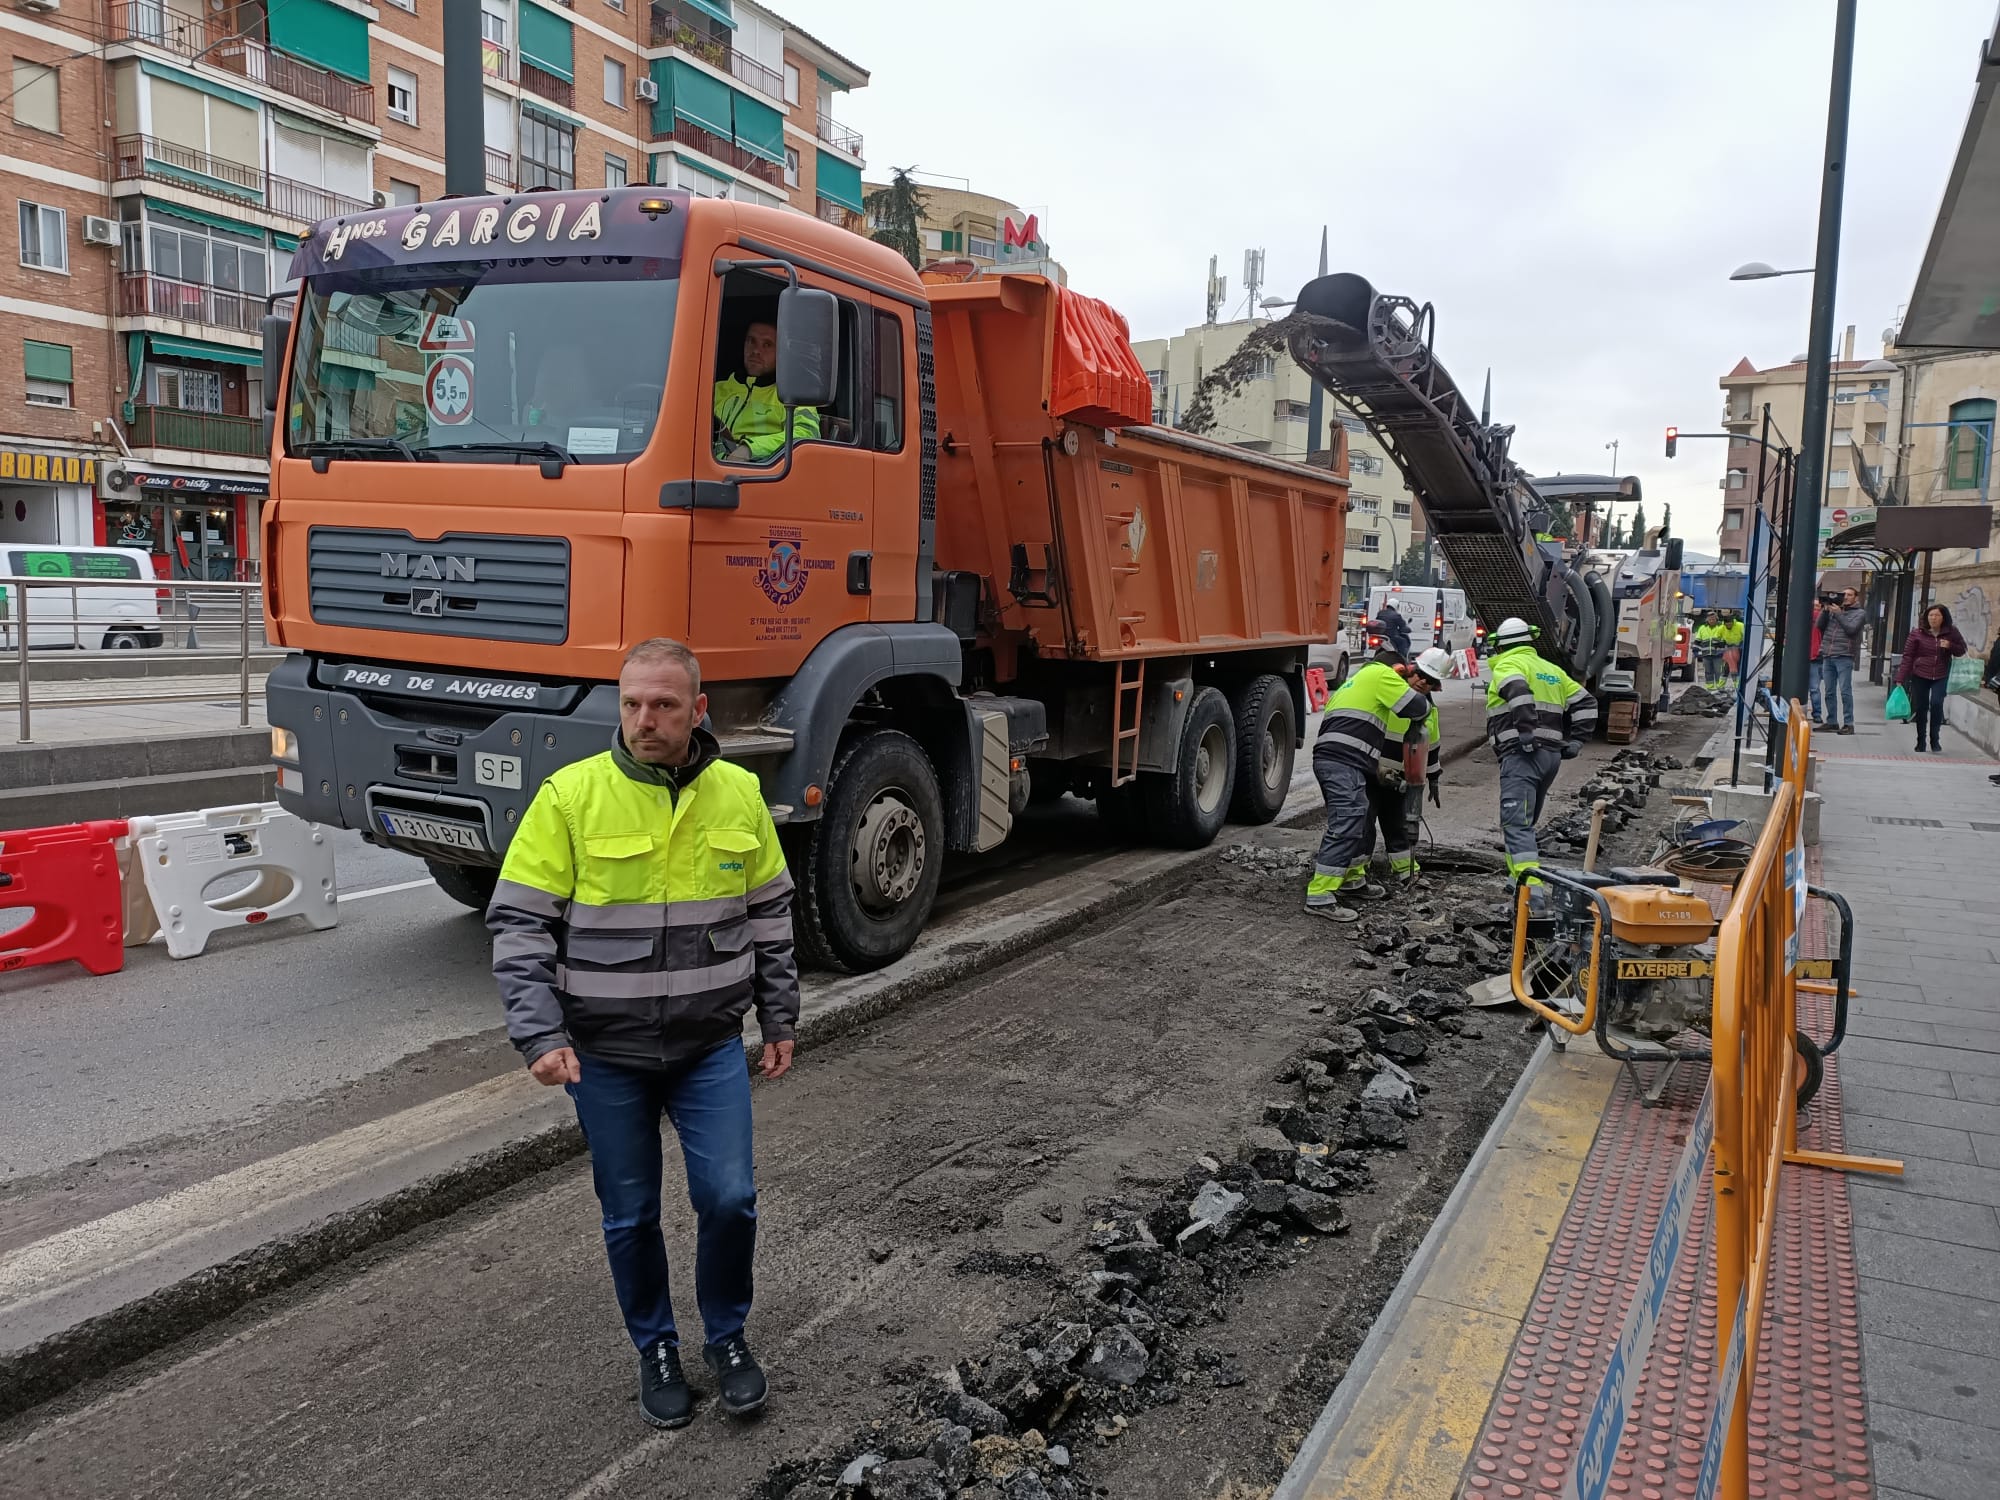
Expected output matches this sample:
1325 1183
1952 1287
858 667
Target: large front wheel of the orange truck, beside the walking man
869 869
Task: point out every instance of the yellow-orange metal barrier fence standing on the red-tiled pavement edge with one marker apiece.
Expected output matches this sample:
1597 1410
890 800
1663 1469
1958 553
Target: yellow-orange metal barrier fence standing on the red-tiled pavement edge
1755 1079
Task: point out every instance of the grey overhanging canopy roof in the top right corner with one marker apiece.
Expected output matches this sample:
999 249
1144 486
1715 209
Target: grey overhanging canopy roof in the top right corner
1957 299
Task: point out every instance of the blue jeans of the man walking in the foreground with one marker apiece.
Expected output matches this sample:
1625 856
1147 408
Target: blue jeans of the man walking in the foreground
709 1105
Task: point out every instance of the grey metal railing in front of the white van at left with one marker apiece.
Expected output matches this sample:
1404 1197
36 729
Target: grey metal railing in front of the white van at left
121 617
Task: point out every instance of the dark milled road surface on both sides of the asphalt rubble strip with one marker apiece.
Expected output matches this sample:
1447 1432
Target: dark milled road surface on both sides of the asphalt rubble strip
483 1357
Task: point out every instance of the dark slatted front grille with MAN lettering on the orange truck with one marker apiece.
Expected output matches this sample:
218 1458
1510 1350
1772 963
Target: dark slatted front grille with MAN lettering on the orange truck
461 585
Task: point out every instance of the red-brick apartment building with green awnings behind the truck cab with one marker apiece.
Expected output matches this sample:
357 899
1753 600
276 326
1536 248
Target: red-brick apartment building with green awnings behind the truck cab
167 157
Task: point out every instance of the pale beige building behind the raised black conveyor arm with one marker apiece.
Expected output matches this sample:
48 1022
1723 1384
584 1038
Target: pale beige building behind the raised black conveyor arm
1269 415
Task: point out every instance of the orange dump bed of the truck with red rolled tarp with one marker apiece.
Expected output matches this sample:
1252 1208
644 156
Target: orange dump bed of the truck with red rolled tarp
1105 537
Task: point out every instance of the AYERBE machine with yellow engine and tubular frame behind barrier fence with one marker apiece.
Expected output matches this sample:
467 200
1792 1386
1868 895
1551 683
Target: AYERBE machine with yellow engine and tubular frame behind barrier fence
1629 955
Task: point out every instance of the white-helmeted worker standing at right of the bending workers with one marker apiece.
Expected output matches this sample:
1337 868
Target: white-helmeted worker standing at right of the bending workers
1537 717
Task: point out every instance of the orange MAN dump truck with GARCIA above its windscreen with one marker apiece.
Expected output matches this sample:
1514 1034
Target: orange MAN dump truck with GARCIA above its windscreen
973 579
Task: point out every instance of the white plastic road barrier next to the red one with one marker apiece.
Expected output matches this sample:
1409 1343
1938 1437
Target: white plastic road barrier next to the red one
229 869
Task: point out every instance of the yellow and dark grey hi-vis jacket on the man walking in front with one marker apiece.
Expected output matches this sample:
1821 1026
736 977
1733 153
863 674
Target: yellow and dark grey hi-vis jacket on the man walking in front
637 923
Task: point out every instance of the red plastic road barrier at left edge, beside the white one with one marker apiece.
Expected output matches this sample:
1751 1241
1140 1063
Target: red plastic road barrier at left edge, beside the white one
69 879
